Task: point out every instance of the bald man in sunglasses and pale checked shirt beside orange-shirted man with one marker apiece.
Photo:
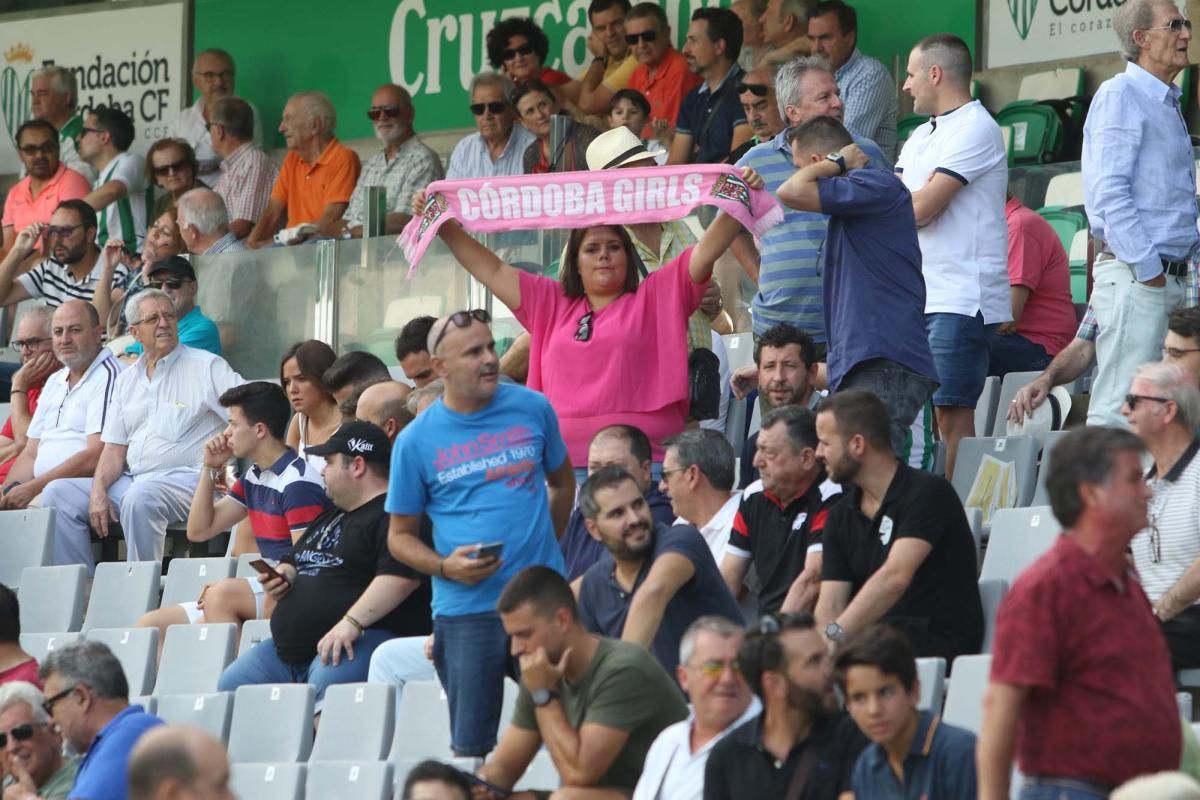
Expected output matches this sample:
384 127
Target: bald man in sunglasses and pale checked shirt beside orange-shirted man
405 166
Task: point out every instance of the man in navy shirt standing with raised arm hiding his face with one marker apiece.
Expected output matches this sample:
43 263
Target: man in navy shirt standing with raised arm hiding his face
874 290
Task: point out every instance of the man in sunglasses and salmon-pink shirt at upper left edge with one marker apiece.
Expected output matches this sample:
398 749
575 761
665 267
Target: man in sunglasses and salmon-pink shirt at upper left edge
47 182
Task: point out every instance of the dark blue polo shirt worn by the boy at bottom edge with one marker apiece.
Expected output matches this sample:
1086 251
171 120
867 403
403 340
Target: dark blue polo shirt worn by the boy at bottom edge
940 765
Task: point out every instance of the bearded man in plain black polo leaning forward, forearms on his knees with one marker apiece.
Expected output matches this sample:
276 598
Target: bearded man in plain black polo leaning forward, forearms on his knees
898 549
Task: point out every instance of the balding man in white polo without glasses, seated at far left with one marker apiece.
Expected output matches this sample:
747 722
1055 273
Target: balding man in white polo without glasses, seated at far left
64 435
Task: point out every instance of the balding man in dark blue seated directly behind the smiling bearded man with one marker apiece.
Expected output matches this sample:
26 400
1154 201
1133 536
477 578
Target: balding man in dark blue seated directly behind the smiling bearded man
625 447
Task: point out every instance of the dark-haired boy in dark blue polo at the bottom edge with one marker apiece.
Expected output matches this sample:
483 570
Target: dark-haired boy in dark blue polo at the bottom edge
914 754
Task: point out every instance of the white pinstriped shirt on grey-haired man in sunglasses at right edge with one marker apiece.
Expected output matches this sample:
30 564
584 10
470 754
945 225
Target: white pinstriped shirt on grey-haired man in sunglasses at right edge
1166 550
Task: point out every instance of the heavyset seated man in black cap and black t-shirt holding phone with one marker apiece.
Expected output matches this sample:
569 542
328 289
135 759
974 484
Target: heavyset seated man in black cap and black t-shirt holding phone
340 593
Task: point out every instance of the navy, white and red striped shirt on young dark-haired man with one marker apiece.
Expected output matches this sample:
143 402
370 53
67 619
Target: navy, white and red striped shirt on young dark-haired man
280 502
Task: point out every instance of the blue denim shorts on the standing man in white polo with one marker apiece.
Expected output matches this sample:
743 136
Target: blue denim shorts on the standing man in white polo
962 352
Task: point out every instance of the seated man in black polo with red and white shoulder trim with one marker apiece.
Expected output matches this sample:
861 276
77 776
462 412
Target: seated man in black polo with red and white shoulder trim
781 524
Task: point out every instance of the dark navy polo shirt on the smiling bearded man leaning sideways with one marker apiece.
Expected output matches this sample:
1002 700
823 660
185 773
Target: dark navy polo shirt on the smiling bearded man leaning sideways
604 605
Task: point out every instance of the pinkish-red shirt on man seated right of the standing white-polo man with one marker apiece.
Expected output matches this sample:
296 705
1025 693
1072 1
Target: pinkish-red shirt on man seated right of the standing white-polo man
1039 262
